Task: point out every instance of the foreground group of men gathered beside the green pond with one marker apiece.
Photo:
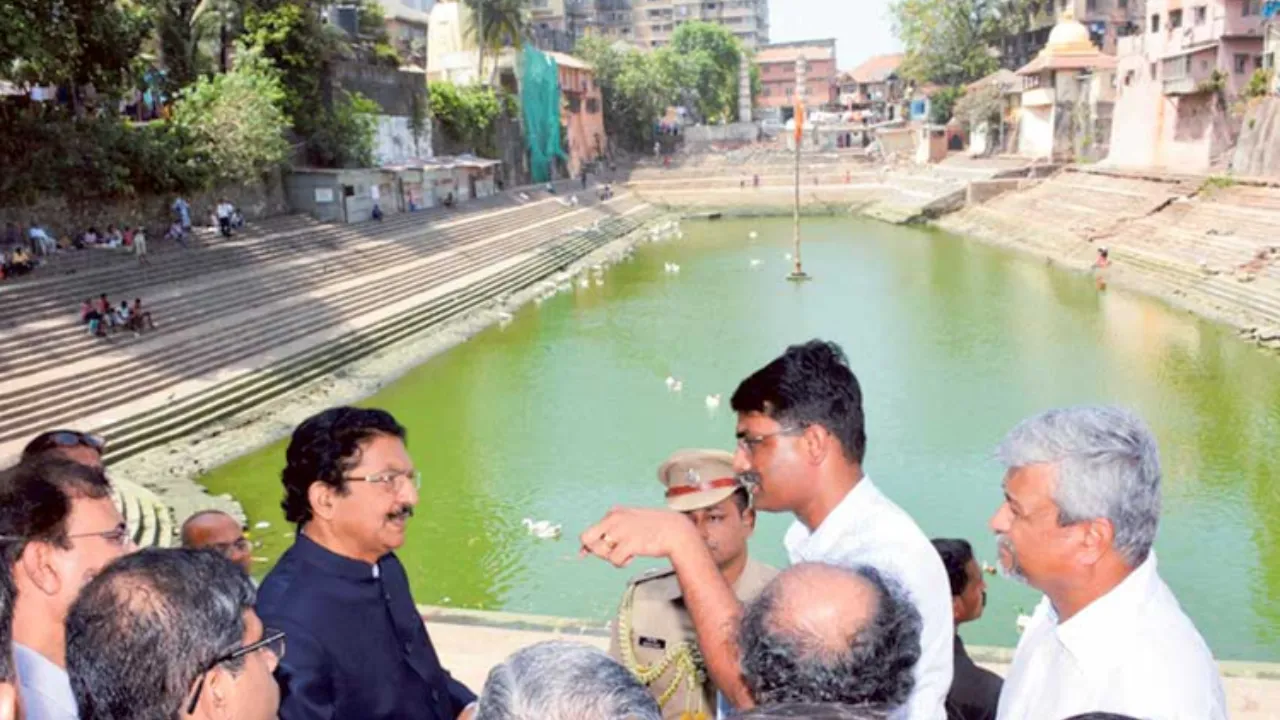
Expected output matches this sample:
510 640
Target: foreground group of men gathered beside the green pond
861 626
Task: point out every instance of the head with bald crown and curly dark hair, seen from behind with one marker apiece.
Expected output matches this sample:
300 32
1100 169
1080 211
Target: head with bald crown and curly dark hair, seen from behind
821 634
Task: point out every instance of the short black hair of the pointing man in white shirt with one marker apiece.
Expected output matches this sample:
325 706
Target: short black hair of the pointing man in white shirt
810 385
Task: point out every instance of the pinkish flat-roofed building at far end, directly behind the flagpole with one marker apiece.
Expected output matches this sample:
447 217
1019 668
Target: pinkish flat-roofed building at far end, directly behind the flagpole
778 66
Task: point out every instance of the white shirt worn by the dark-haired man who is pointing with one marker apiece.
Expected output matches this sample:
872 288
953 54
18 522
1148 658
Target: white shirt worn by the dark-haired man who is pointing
868 528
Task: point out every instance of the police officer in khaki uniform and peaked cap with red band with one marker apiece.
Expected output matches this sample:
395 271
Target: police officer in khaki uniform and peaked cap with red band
653 635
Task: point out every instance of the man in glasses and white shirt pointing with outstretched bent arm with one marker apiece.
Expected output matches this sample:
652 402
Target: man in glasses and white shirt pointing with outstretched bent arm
801 445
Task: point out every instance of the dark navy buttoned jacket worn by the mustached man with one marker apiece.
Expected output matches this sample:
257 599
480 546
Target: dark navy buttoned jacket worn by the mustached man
356 646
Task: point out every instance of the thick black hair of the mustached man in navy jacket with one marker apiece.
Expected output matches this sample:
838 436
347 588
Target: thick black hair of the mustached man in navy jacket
323 449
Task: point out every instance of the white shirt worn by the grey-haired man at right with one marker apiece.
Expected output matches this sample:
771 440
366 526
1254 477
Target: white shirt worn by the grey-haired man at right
1133 651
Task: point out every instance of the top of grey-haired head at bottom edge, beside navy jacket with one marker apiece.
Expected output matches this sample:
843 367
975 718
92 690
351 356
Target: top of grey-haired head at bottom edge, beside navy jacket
564 681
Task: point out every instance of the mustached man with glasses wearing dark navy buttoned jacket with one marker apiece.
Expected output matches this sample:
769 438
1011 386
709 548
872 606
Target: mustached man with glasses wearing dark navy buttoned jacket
358 646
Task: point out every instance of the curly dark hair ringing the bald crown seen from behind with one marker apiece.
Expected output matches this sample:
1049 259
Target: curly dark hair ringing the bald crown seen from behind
784 666
